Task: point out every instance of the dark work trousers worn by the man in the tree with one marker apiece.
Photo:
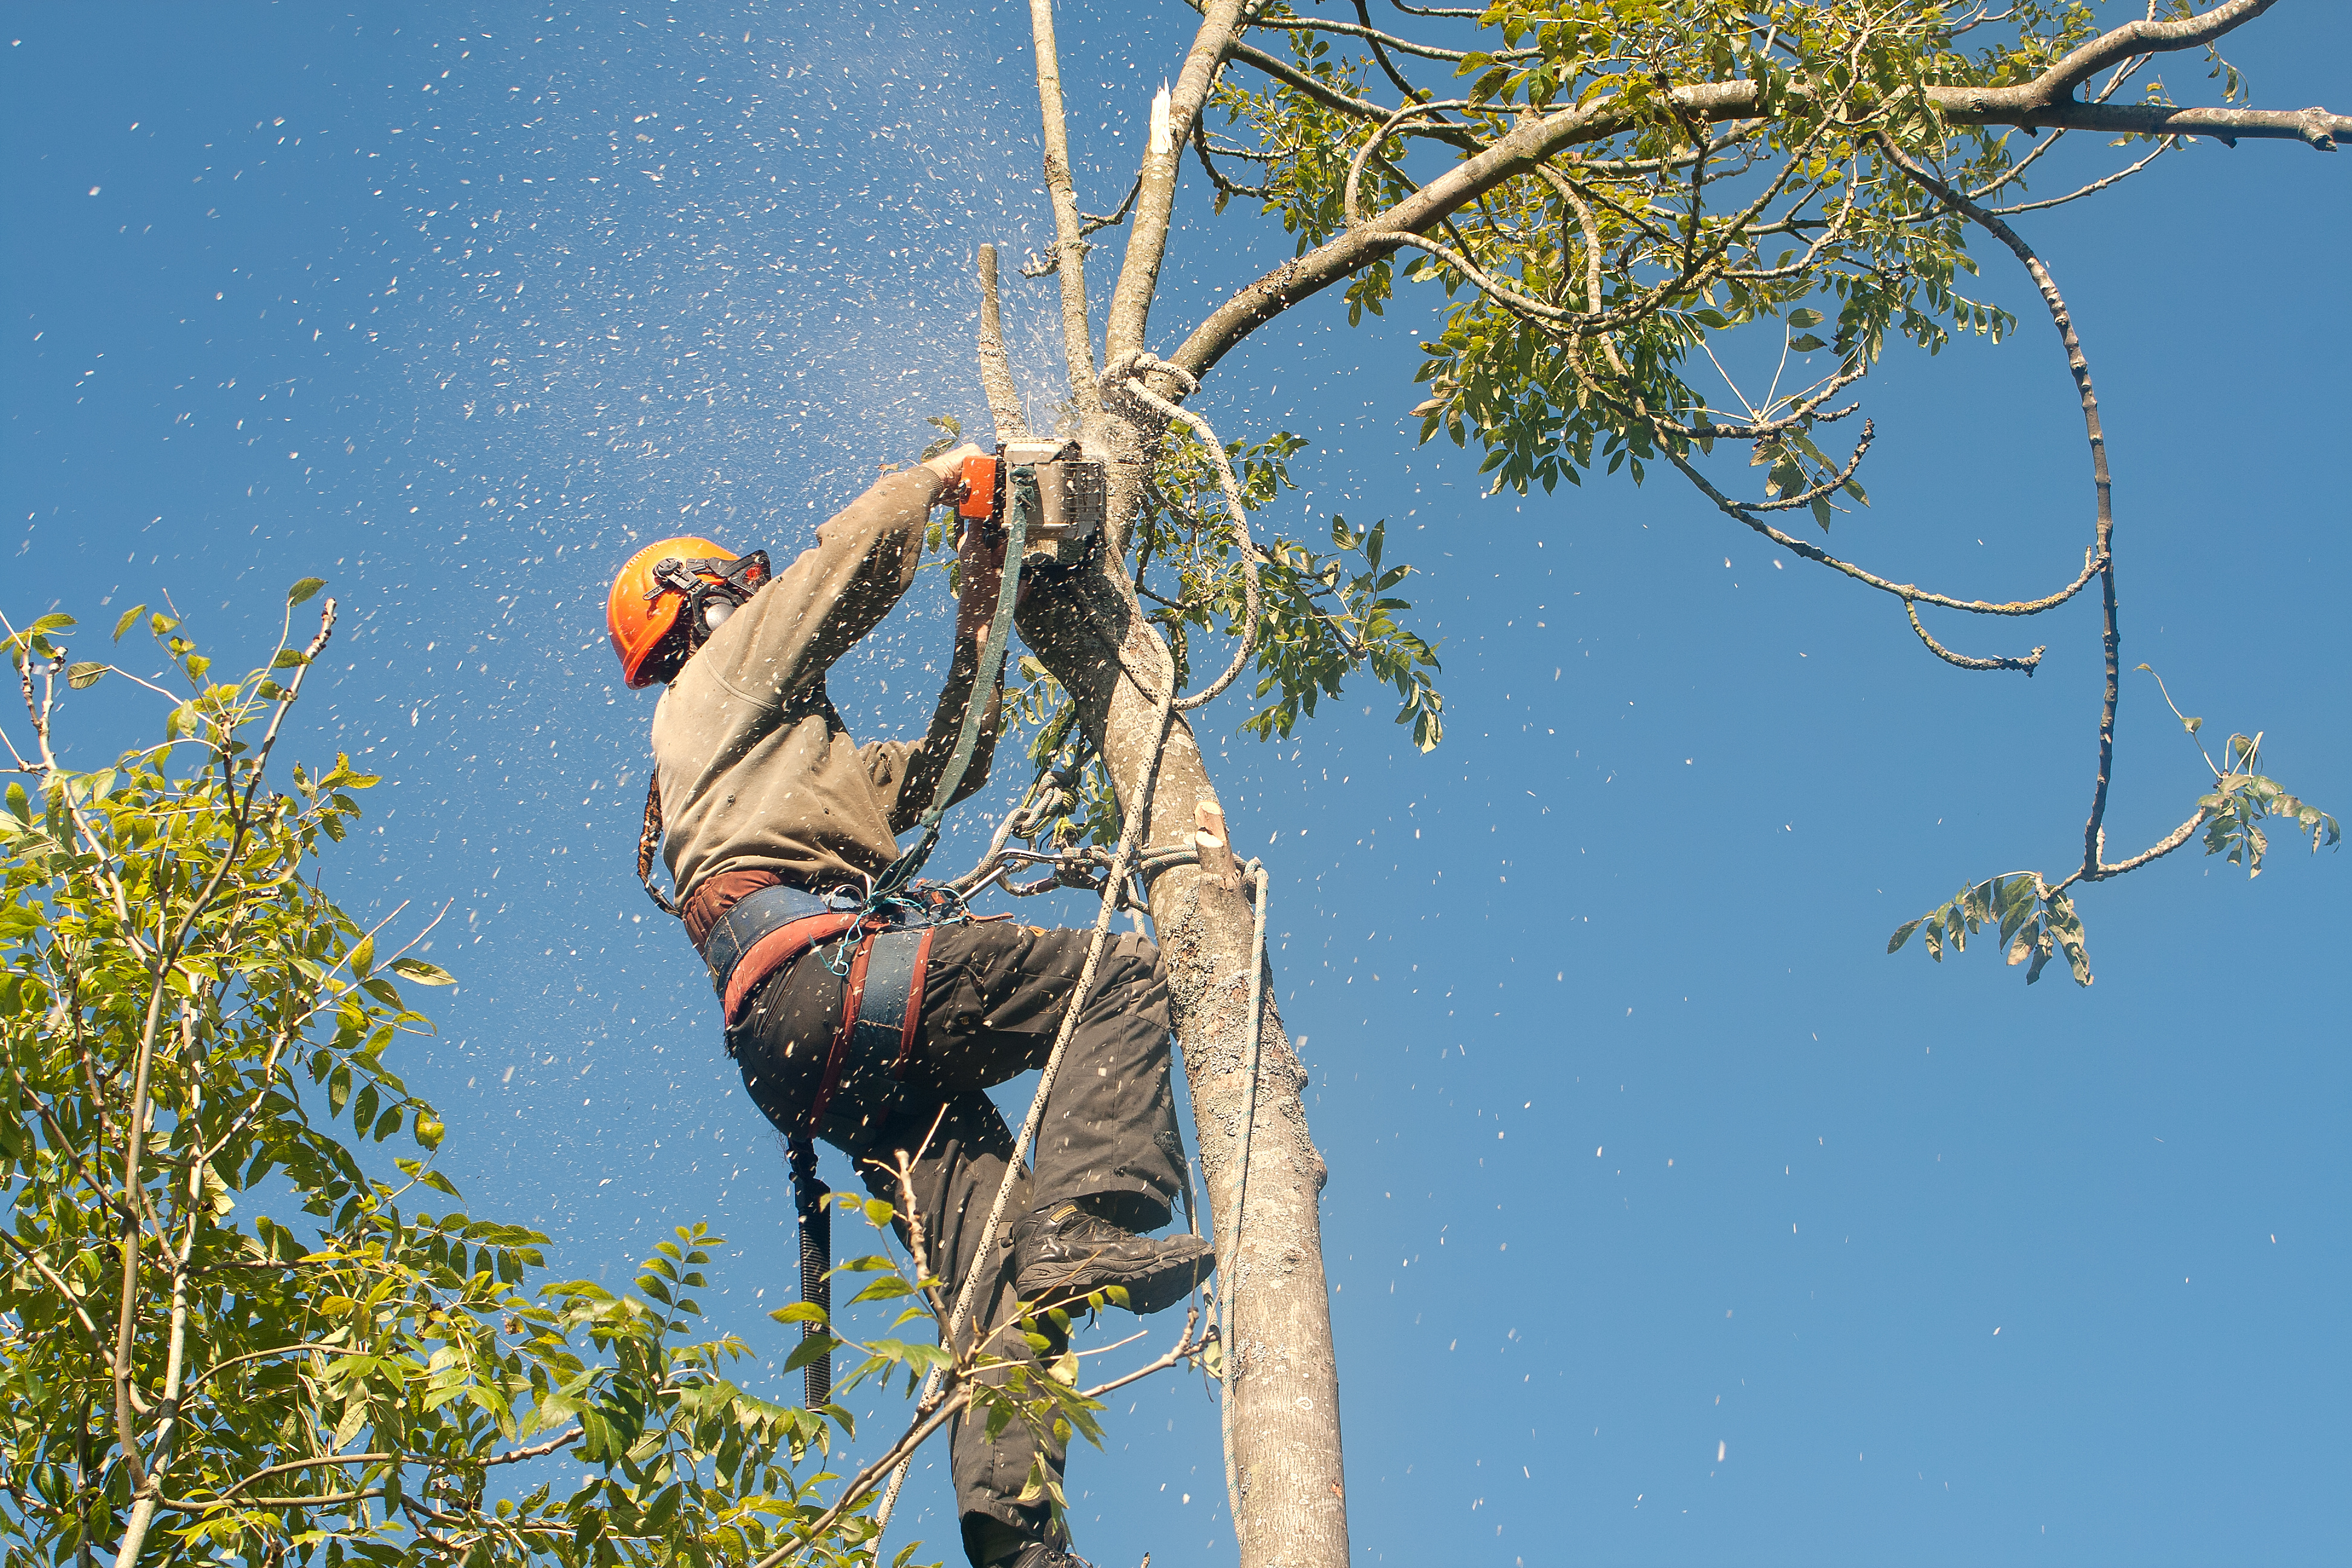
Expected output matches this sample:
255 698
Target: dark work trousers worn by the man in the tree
994 1003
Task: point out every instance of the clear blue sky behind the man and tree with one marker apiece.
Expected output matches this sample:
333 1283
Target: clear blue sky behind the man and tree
1643 1153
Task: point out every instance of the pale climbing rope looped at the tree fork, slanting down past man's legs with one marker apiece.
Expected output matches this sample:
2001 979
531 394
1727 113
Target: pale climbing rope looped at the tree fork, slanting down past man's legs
1116 382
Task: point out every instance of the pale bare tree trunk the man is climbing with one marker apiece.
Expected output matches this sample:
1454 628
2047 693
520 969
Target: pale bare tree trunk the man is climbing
1283 1442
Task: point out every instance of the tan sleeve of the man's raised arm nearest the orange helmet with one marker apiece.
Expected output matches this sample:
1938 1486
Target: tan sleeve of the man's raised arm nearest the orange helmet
815 610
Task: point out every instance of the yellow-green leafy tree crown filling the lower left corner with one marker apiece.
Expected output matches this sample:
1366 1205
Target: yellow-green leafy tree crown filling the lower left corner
199 1033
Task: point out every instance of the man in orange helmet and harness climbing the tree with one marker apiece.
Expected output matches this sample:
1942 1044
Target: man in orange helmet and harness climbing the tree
881 1028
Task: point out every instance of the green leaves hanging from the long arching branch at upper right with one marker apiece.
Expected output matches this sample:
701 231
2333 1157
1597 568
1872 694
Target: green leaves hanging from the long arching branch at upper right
1735 210
